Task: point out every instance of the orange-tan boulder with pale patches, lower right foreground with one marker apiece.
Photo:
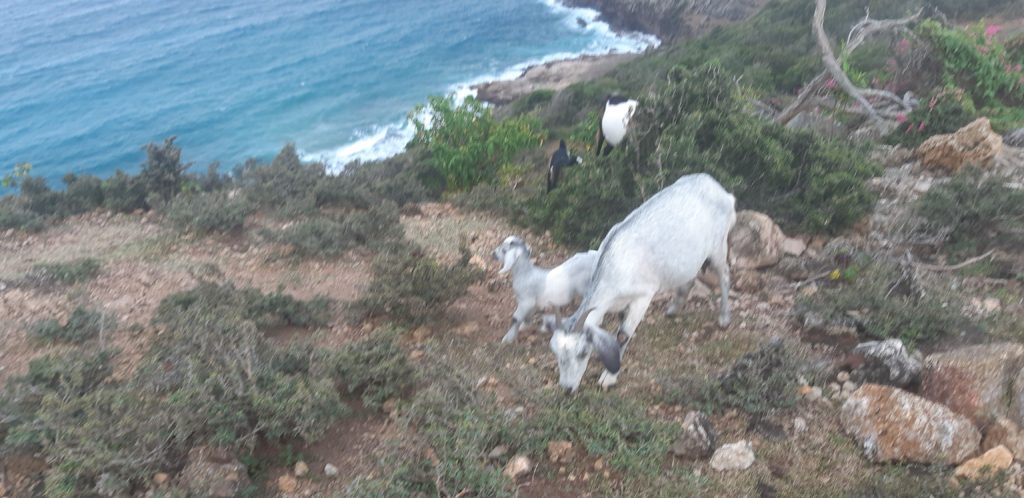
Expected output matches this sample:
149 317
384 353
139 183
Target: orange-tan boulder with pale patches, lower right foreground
894 426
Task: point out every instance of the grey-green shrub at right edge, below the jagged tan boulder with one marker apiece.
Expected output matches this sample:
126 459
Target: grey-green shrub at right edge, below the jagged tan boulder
973 213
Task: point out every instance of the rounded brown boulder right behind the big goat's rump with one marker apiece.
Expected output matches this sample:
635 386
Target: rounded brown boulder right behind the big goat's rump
755 242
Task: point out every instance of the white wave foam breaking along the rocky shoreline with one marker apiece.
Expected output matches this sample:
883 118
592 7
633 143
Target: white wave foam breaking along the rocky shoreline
382 143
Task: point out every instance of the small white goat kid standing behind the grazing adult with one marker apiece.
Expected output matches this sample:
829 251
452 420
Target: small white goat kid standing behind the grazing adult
541 288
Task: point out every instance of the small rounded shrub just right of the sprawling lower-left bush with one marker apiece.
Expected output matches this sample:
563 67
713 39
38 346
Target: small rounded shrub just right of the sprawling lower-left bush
375 368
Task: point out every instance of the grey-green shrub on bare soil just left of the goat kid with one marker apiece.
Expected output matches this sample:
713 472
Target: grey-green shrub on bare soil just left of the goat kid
411 288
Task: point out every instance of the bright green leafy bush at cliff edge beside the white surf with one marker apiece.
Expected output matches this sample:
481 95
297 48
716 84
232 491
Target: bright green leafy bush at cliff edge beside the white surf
467 146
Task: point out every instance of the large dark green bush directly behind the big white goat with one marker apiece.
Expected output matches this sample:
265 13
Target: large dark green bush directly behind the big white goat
698 123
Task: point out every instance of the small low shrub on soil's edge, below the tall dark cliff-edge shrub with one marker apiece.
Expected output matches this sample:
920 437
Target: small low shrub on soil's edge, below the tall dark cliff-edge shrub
208 213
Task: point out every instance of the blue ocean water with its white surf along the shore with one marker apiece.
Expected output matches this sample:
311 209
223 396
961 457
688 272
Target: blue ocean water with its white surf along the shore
84 86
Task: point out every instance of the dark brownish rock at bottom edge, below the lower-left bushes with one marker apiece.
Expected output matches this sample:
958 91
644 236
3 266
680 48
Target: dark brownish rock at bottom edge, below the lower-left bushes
215 473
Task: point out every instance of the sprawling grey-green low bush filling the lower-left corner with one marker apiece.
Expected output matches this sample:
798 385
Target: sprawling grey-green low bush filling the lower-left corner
210 378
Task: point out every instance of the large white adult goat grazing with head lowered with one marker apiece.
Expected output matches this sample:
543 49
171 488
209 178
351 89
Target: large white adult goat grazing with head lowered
661 245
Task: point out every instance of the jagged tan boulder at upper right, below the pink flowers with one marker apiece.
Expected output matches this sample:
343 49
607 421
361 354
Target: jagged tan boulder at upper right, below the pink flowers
975 144
